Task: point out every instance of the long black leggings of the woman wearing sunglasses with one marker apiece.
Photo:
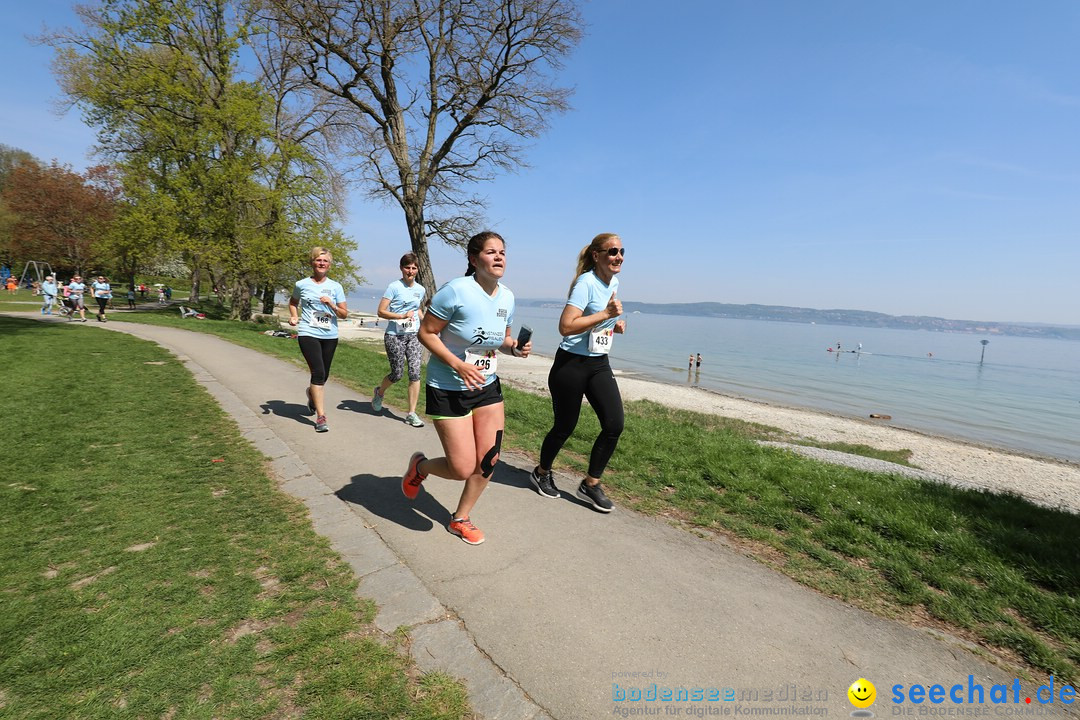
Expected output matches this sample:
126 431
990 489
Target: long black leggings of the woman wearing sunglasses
572 378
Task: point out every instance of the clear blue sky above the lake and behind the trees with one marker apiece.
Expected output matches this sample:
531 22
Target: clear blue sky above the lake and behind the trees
904 157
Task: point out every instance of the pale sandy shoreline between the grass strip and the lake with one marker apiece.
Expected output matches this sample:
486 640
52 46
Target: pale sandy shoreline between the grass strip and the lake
1049 483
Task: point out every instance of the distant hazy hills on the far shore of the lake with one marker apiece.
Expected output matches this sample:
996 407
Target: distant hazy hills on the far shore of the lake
856 318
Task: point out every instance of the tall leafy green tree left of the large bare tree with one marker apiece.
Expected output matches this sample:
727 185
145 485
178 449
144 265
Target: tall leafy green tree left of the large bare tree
205 170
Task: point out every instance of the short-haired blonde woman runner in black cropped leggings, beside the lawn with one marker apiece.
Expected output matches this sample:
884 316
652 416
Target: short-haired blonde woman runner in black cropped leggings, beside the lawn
317 305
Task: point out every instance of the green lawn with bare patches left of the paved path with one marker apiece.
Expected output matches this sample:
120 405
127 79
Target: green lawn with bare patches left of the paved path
148 566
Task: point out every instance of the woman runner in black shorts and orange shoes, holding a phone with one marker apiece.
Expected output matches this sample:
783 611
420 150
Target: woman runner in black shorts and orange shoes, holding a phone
470 319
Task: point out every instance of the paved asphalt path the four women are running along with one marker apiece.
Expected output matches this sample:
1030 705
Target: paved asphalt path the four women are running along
562 609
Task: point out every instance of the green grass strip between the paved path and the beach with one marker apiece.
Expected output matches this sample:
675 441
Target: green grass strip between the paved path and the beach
994 569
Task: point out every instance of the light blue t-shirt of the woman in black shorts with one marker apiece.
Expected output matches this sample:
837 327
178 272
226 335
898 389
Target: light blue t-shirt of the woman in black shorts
477 323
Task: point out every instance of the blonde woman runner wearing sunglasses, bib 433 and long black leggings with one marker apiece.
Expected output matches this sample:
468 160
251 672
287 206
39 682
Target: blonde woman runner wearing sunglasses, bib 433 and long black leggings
582 370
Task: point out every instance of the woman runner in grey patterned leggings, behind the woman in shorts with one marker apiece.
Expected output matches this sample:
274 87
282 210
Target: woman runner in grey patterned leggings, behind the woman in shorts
401 306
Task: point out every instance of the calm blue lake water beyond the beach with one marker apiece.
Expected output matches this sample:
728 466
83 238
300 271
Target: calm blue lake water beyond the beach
1025 396
